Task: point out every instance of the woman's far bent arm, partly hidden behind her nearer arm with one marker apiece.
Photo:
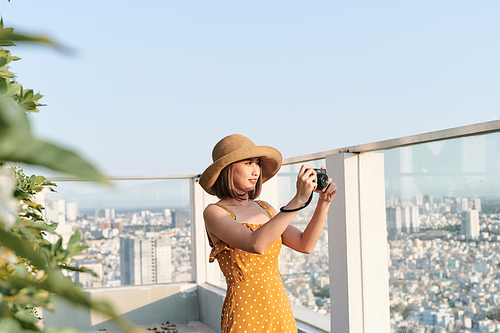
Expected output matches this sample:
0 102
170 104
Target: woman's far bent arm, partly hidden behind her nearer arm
305 241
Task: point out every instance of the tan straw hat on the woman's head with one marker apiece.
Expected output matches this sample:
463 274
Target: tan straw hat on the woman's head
237 147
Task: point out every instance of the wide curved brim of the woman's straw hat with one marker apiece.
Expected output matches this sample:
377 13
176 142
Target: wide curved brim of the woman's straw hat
270 163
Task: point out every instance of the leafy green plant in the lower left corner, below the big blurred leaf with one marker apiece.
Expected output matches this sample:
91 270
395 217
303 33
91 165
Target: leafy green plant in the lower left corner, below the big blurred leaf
31 268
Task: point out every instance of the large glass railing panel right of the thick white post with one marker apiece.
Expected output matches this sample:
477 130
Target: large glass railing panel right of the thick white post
443 224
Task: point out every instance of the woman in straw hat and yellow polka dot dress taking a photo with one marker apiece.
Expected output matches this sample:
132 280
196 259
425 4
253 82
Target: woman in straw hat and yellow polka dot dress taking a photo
246 235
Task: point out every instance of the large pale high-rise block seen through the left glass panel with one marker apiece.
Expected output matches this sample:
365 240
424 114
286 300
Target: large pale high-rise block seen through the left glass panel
145 259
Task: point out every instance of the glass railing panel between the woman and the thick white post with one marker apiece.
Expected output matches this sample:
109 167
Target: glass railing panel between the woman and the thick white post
305 276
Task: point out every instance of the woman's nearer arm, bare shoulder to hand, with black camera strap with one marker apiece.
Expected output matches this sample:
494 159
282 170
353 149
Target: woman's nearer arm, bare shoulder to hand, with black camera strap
231 232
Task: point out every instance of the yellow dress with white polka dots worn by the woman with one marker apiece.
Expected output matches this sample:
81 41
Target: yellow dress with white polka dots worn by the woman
256 300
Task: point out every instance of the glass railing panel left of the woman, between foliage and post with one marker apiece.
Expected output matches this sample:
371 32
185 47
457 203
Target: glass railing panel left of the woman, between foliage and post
138 231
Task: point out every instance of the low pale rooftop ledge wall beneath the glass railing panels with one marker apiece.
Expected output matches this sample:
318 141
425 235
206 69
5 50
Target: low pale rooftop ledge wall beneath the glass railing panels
192 307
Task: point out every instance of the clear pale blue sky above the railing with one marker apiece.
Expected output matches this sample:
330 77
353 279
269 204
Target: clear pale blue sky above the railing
150 87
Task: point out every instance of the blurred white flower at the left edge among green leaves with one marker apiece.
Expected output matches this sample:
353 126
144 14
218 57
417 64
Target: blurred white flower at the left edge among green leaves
8 204
